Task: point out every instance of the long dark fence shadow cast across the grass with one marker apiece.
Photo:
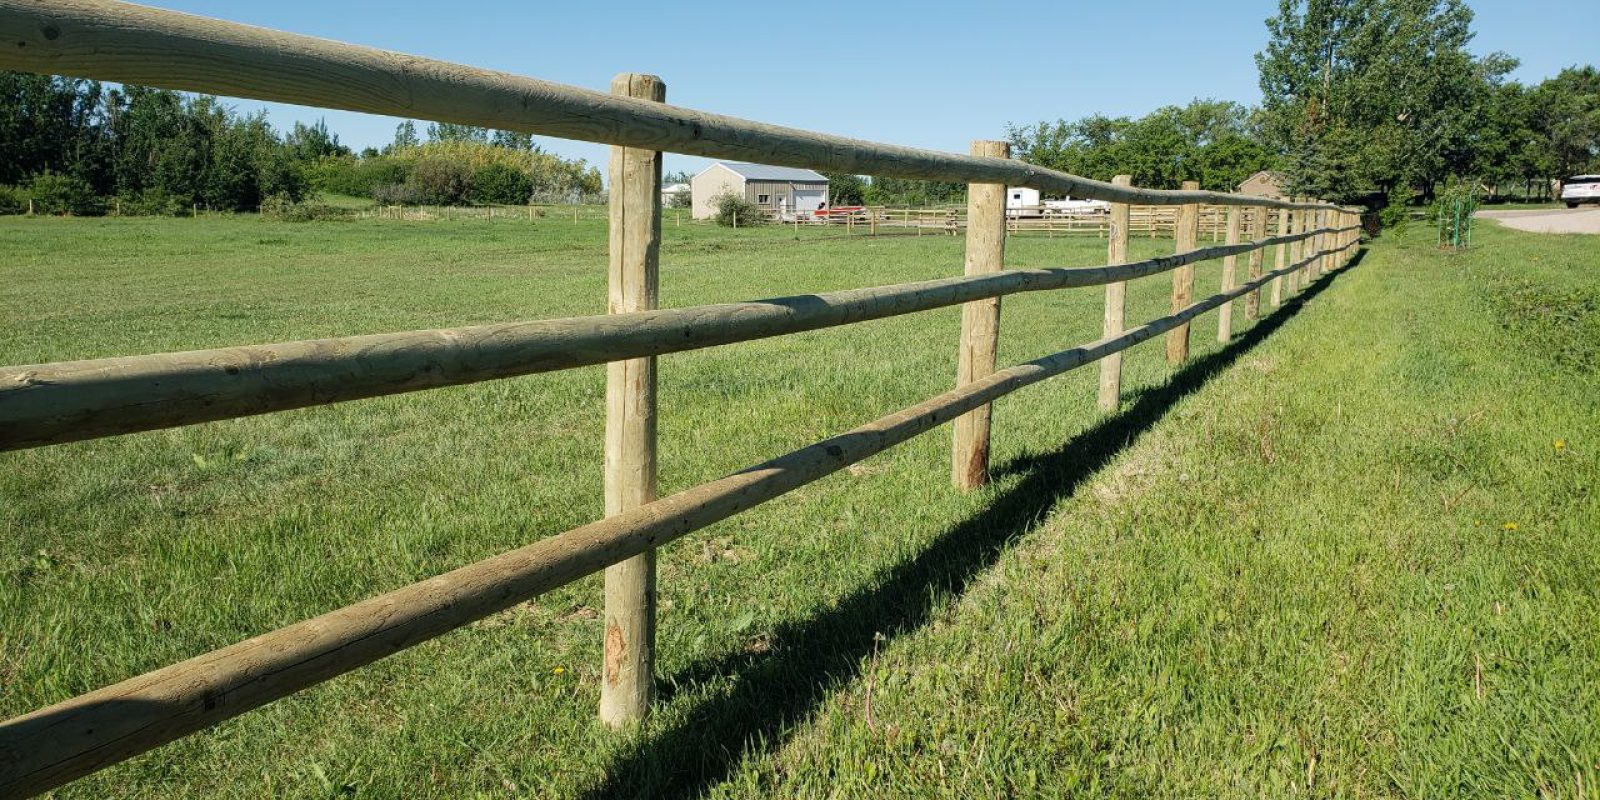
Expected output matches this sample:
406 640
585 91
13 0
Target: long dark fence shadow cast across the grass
812 657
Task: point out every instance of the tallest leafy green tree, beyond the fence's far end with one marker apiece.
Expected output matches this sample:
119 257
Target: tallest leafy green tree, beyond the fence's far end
1369 97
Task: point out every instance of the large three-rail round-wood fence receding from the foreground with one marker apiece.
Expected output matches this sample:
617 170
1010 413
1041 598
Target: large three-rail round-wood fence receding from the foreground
78 401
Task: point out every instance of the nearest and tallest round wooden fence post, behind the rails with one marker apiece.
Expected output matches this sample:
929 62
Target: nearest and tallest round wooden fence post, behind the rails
626 684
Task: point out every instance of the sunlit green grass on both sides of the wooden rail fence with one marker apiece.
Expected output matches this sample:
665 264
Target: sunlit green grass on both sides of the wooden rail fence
1351 554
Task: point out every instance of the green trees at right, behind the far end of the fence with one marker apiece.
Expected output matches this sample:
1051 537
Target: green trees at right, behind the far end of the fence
1366 102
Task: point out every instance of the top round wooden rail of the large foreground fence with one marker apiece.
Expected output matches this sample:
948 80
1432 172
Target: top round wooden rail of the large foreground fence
132 44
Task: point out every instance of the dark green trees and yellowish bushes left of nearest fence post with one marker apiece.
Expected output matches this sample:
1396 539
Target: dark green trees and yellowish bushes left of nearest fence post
84 148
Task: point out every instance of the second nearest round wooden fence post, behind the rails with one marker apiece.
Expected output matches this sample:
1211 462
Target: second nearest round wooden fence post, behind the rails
980 321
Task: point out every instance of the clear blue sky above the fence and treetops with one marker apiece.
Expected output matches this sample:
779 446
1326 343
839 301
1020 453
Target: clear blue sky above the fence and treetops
930 74
